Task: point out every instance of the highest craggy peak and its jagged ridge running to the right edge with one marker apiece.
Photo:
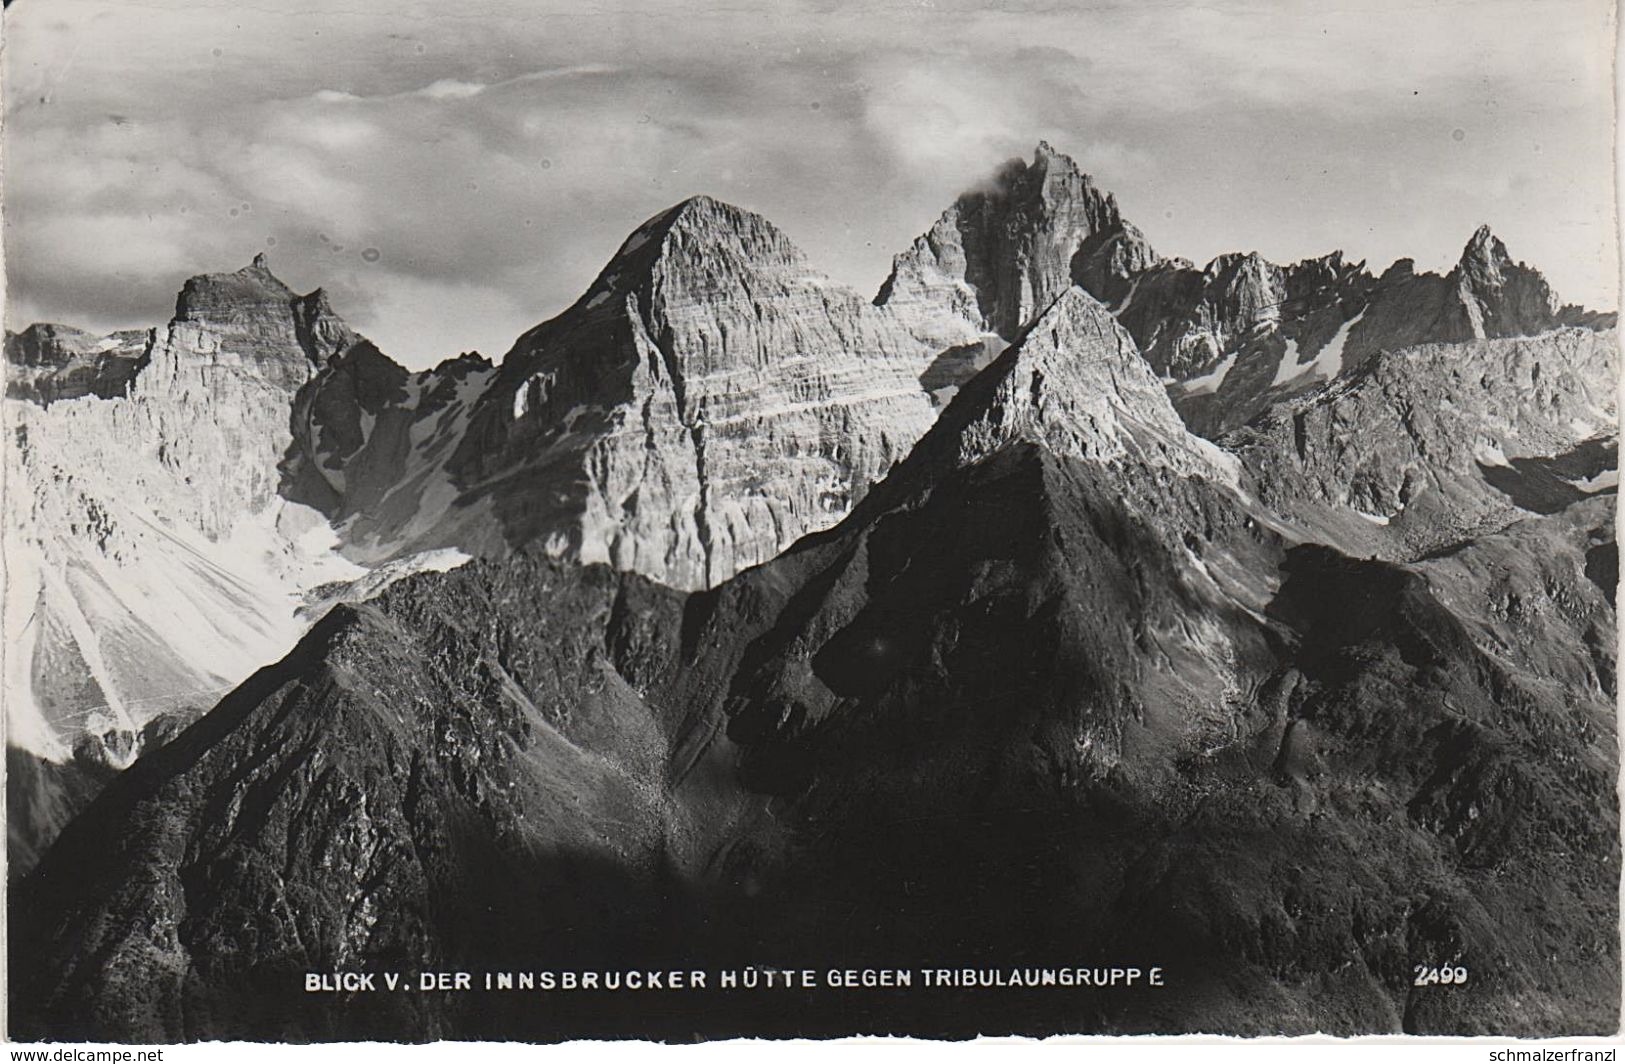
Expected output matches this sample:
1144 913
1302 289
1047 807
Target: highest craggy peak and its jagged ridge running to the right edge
1229 339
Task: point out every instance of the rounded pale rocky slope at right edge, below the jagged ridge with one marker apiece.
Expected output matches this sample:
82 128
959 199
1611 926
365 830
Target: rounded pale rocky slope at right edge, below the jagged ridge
1431 448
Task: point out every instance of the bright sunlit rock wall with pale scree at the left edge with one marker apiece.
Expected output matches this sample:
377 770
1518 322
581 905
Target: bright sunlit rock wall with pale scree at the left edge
152 563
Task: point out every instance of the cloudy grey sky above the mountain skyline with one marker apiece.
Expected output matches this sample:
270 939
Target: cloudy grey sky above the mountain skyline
457 173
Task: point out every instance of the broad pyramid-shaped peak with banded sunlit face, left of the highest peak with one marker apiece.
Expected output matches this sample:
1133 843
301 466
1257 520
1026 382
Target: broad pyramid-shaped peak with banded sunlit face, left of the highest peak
766 397
